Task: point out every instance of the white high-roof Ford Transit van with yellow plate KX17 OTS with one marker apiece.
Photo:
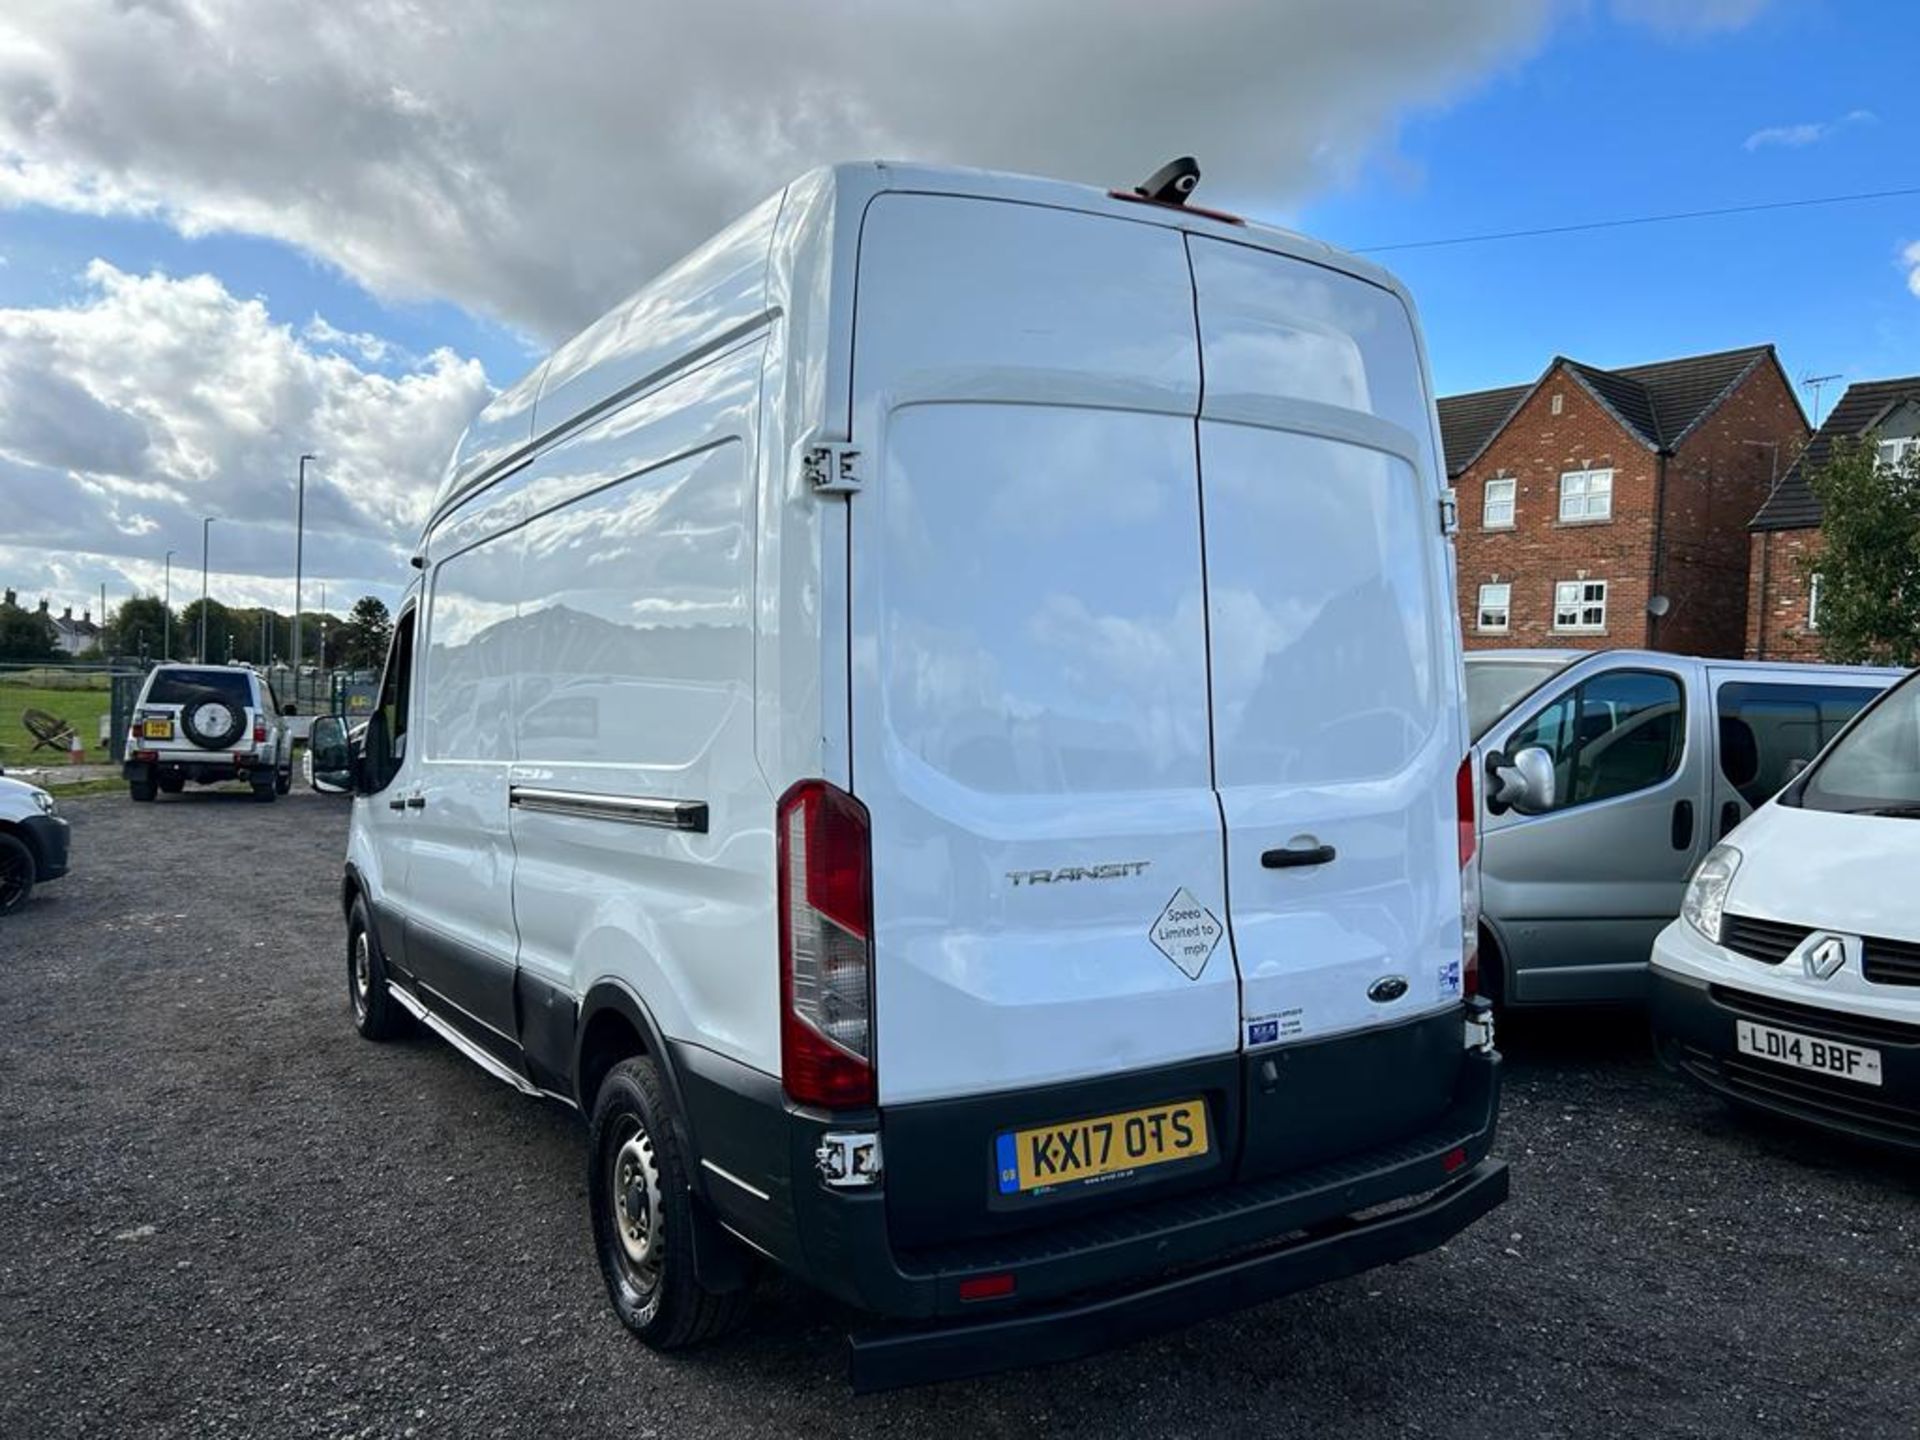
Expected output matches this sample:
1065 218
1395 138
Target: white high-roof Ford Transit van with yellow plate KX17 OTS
938 727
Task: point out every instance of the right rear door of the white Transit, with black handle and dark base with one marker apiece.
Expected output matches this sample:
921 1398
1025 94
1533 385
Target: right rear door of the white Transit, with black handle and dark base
1337 715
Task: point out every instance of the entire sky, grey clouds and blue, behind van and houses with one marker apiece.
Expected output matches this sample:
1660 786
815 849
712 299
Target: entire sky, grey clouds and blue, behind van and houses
239 229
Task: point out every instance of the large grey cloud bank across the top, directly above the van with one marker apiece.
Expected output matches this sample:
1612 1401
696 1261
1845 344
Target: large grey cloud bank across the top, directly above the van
537 166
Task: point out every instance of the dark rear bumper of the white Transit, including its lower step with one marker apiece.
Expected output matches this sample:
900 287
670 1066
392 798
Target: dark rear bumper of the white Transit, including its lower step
1092 1278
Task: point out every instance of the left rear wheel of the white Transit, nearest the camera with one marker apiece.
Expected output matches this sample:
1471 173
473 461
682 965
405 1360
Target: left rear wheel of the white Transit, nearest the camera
644 1216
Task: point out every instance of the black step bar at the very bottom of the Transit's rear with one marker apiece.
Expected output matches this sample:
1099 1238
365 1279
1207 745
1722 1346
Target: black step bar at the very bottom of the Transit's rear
1070 1332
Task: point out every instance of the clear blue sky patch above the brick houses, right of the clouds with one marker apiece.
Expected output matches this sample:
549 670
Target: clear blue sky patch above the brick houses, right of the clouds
1614 120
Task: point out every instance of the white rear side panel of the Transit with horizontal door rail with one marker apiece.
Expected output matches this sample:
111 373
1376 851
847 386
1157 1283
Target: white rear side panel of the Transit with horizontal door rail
635 681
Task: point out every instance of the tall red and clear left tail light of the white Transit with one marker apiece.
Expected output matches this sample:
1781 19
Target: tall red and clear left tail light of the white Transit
827 951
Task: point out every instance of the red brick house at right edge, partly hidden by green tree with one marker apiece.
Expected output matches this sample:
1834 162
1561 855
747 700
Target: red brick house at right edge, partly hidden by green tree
1785 608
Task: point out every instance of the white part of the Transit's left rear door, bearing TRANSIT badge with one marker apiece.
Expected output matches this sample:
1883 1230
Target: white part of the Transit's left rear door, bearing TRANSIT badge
1030 713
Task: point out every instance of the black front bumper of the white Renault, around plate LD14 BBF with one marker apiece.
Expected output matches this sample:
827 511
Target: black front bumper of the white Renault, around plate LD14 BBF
1694 1034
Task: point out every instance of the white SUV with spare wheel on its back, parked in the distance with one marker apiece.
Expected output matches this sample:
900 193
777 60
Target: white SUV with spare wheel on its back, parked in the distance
208 723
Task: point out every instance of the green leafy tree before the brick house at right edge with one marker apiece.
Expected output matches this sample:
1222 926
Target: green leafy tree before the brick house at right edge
1869 567
